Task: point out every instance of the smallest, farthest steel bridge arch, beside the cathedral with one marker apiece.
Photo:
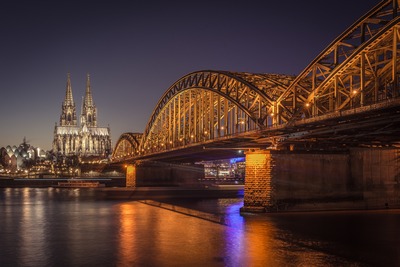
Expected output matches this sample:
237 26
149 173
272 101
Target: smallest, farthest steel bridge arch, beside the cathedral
127 145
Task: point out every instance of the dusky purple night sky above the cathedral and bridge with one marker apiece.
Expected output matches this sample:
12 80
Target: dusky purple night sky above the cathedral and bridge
134 50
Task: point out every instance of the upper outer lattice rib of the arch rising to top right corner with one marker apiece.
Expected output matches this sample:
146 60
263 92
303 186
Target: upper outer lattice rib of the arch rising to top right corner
334 57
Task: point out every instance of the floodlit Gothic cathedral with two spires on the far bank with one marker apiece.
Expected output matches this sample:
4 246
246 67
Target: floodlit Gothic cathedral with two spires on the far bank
85 139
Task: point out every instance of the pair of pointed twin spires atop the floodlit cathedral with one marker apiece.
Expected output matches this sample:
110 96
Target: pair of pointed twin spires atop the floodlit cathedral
88 111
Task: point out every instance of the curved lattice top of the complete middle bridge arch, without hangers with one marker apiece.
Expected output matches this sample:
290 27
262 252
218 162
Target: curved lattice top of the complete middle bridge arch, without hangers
254 94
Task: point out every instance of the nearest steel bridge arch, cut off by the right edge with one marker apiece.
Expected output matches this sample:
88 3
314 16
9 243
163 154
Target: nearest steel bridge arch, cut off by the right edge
358 68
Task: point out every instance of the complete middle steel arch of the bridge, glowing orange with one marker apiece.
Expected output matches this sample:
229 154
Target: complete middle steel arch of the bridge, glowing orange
208 105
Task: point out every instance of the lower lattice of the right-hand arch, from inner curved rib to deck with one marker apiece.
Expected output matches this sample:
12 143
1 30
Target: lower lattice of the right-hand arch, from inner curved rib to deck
363 78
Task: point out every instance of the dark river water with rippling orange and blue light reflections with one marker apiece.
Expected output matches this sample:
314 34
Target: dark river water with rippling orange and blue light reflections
72 227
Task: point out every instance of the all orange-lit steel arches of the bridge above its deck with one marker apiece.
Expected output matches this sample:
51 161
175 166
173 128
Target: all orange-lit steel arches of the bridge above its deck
357 71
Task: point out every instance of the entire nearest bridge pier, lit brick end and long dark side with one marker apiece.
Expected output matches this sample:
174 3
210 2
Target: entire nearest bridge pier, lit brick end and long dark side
360 178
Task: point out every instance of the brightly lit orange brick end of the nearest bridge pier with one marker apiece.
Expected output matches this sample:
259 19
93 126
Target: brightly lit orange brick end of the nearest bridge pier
258 188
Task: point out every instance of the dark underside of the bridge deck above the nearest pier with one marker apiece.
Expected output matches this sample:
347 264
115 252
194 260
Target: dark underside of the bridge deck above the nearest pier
375 126
